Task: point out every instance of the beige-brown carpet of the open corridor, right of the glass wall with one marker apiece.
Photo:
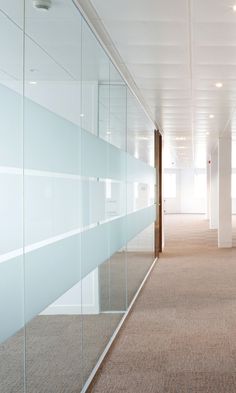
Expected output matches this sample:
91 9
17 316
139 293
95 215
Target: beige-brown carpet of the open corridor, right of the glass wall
181 334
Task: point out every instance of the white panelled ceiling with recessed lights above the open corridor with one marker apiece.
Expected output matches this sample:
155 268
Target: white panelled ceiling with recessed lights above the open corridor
176 50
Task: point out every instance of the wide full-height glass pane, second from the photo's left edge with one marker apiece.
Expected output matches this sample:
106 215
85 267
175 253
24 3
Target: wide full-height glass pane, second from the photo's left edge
52 191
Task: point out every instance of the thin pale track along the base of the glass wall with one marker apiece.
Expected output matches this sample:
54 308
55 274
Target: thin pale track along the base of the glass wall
96 368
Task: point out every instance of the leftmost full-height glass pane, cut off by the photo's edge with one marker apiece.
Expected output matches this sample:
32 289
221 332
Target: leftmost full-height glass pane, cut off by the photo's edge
12 345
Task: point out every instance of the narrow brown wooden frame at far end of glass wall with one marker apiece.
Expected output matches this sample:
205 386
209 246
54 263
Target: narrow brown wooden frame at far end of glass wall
158 191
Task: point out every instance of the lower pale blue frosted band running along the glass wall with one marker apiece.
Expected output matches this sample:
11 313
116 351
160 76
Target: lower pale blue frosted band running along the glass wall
63 259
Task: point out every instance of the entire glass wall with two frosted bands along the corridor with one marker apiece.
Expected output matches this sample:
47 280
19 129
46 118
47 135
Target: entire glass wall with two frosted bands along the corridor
77 198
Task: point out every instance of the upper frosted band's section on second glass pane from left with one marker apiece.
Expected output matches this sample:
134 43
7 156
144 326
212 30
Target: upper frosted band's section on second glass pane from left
53 135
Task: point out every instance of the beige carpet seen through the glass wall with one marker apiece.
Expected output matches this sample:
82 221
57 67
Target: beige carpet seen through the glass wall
56 353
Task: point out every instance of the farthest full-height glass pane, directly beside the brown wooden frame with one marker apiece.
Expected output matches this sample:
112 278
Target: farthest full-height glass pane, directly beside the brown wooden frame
140 194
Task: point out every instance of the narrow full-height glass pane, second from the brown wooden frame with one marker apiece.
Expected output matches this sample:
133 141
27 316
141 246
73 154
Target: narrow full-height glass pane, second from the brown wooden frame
117 201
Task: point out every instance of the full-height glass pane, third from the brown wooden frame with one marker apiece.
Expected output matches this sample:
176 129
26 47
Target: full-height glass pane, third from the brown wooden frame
96 324
